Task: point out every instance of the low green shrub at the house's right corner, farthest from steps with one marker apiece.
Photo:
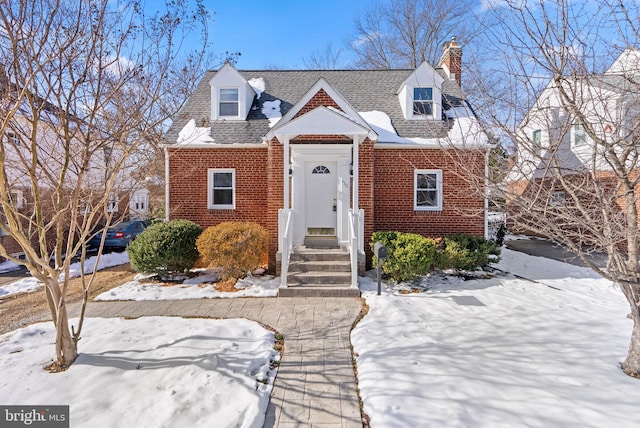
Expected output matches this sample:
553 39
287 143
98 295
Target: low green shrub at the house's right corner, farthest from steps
466 252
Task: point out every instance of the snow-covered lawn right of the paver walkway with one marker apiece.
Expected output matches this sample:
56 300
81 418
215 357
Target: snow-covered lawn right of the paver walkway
498 352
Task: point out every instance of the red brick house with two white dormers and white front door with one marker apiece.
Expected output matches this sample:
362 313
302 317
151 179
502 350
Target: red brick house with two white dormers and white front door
330 156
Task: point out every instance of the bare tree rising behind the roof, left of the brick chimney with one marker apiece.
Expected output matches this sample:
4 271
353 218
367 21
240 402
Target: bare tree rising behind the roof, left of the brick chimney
406 33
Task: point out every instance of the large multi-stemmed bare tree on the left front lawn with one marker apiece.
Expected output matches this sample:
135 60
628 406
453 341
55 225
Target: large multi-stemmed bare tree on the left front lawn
84 85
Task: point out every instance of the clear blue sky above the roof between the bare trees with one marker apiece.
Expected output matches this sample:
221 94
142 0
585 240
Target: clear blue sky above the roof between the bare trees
281 32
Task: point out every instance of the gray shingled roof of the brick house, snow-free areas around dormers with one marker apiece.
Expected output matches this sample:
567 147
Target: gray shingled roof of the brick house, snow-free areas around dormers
365 90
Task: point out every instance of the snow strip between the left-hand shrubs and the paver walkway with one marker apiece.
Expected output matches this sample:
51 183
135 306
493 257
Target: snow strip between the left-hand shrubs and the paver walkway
198 287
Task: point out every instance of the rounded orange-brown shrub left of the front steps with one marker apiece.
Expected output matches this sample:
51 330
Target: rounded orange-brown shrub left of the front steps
236 247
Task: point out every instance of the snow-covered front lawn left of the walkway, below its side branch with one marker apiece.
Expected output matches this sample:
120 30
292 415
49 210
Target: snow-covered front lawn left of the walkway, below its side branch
152 371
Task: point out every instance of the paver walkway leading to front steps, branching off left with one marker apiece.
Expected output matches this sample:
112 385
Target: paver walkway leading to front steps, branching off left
315 386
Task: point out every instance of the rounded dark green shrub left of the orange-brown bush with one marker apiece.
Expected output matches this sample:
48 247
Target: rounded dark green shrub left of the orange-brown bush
165 248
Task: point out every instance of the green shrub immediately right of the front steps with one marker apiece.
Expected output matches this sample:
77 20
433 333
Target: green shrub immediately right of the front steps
410 255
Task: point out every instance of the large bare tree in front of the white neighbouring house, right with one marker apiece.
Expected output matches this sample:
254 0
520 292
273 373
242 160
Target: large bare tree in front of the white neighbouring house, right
573 116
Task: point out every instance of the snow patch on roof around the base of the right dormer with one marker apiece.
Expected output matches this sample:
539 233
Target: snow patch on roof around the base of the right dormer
466 130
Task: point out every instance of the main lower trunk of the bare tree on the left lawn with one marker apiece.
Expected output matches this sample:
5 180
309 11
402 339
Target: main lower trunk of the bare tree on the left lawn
66 345
